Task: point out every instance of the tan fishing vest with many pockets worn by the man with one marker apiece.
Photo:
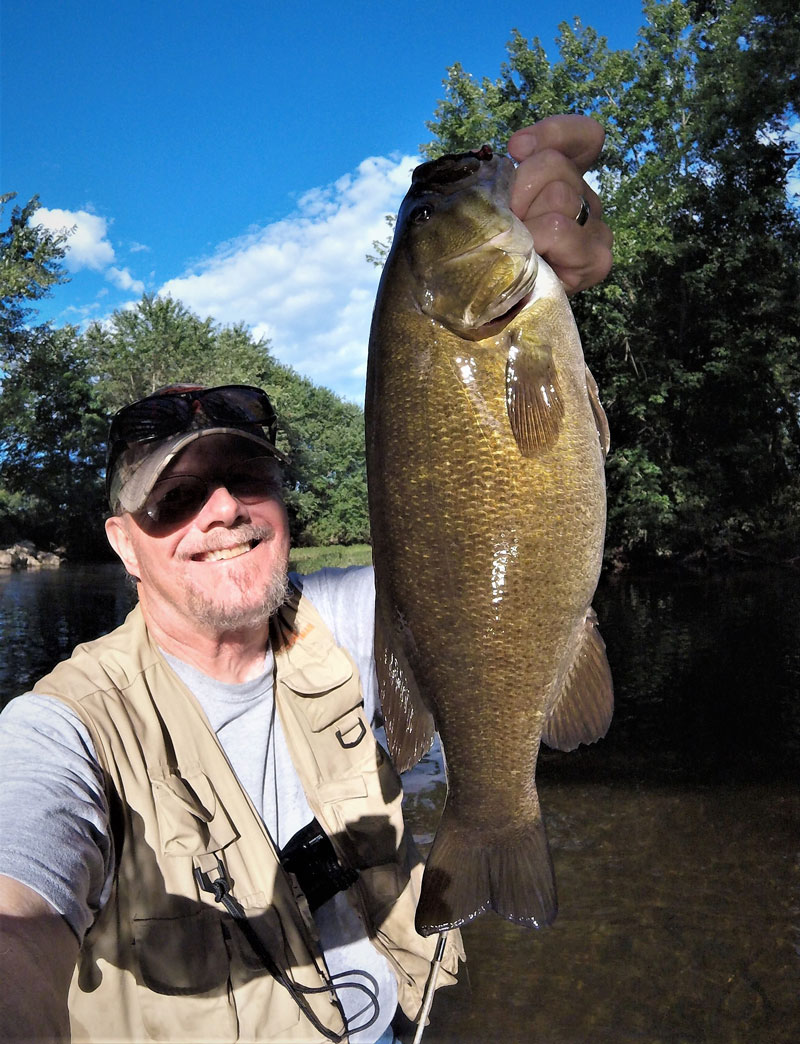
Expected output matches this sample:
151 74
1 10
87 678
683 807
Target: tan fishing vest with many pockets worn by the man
164 960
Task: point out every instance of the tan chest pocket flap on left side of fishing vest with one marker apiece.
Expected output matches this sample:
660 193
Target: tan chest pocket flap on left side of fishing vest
192 818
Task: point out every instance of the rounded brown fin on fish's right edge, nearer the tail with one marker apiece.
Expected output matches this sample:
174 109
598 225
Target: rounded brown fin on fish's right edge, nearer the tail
583 710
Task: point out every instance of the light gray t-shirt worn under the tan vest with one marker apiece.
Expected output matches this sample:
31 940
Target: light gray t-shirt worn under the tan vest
61 846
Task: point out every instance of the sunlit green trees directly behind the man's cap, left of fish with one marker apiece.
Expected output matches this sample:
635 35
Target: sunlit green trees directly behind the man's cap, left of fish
160 342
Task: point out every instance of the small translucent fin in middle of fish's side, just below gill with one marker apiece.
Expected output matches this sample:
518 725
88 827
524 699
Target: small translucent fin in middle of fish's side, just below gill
533 397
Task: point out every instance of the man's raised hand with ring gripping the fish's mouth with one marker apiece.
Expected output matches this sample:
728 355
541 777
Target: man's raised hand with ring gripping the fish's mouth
553 156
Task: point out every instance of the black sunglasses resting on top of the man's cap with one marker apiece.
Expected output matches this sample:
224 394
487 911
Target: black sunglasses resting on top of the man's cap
174 411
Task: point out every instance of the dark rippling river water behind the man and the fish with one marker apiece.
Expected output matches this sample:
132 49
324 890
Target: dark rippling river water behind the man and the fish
676 841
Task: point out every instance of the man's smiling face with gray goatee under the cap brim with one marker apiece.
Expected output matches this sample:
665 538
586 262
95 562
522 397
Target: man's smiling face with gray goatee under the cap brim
222 571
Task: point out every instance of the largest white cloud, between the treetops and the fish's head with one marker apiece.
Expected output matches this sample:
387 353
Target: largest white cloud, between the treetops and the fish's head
304 282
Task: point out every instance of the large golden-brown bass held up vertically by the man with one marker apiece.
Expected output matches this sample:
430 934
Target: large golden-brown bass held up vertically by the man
486 448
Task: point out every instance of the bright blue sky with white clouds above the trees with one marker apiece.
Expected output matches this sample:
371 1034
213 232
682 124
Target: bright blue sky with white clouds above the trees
242 156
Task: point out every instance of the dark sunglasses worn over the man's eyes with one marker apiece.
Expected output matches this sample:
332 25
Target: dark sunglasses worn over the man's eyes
178 499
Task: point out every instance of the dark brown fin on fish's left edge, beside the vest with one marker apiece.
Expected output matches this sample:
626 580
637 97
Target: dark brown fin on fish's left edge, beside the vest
409 723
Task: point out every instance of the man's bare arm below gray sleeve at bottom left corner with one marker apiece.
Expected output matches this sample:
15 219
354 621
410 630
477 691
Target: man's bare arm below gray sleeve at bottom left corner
38 954
